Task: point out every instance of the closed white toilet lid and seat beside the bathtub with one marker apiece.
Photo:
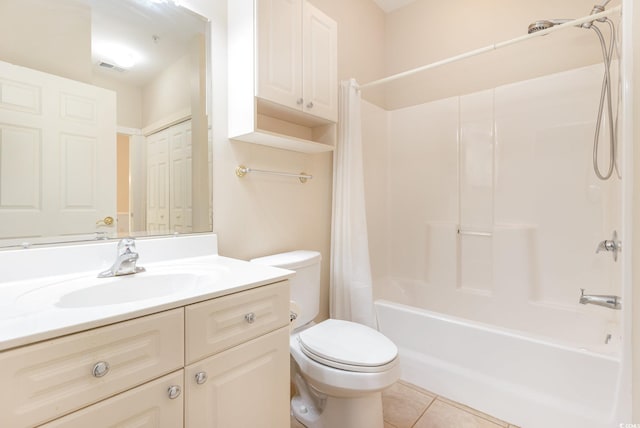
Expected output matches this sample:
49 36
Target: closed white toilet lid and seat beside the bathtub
347 345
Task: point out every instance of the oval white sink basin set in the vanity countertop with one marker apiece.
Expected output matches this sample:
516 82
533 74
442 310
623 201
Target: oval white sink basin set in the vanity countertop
85 292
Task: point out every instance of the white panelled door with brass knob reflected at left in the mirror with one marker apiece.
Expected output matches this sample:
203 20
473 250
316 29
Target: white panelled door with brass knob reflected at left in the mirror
58 154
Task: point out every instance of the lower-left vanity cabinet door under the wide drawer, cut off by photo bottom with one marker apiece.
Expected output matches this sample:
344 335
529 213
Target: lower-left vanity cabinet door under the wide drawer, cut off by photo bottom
147 406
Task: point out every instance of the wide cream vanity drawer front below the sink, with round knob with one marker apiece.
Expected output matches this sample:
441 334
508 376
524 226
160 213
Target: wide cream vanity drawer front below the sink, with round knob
55 377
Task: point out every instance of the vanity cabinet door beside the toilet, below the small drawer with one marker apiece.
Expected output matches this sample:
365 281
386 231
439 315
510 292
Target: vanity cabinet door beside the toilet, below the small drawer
246 386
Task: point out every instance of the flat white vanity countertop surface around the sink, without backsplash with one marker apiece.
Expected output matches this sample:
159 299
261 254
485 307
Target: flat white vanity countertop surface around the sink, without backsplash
33 310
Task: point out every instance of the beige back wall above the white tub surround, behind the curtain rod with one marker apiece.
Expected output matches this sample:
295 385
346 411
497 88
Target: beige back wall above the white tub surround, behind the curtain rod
431 30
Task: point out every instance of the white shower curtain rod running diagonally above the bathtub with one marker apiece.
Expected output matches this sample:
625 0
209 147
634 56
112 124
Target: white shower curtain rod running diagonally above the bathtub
493 47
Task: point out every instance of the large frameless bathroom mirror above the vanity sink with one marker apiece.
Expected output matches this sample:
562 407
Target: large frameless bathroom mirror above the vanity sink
104 125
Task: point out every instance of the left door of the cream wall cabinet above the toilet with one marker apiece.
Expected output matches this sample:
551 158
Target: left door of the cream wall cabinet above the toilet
280 51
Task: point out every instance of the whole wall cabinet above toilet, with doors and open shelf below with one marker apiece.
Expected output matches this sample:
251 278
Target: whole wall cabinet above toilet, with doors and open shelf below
283 88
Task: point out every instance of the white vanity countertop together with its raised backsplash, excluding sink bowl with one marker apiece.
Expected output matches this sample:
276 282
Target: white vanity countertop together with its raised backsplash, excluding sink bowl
41 270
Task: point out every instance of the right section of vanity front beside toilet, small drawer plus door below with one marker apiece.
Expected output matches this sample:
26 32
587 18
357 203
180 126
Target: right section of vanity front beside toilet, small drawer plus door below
237 351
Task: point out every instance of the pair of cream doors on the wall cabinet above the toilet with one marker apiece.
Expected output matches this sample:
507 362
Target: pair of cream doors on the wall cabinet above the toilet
297 57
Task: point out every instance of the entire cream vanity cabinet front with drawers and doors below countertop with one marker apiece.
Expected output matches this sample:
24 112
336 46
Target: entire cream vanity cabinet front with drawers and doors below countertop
222 362
